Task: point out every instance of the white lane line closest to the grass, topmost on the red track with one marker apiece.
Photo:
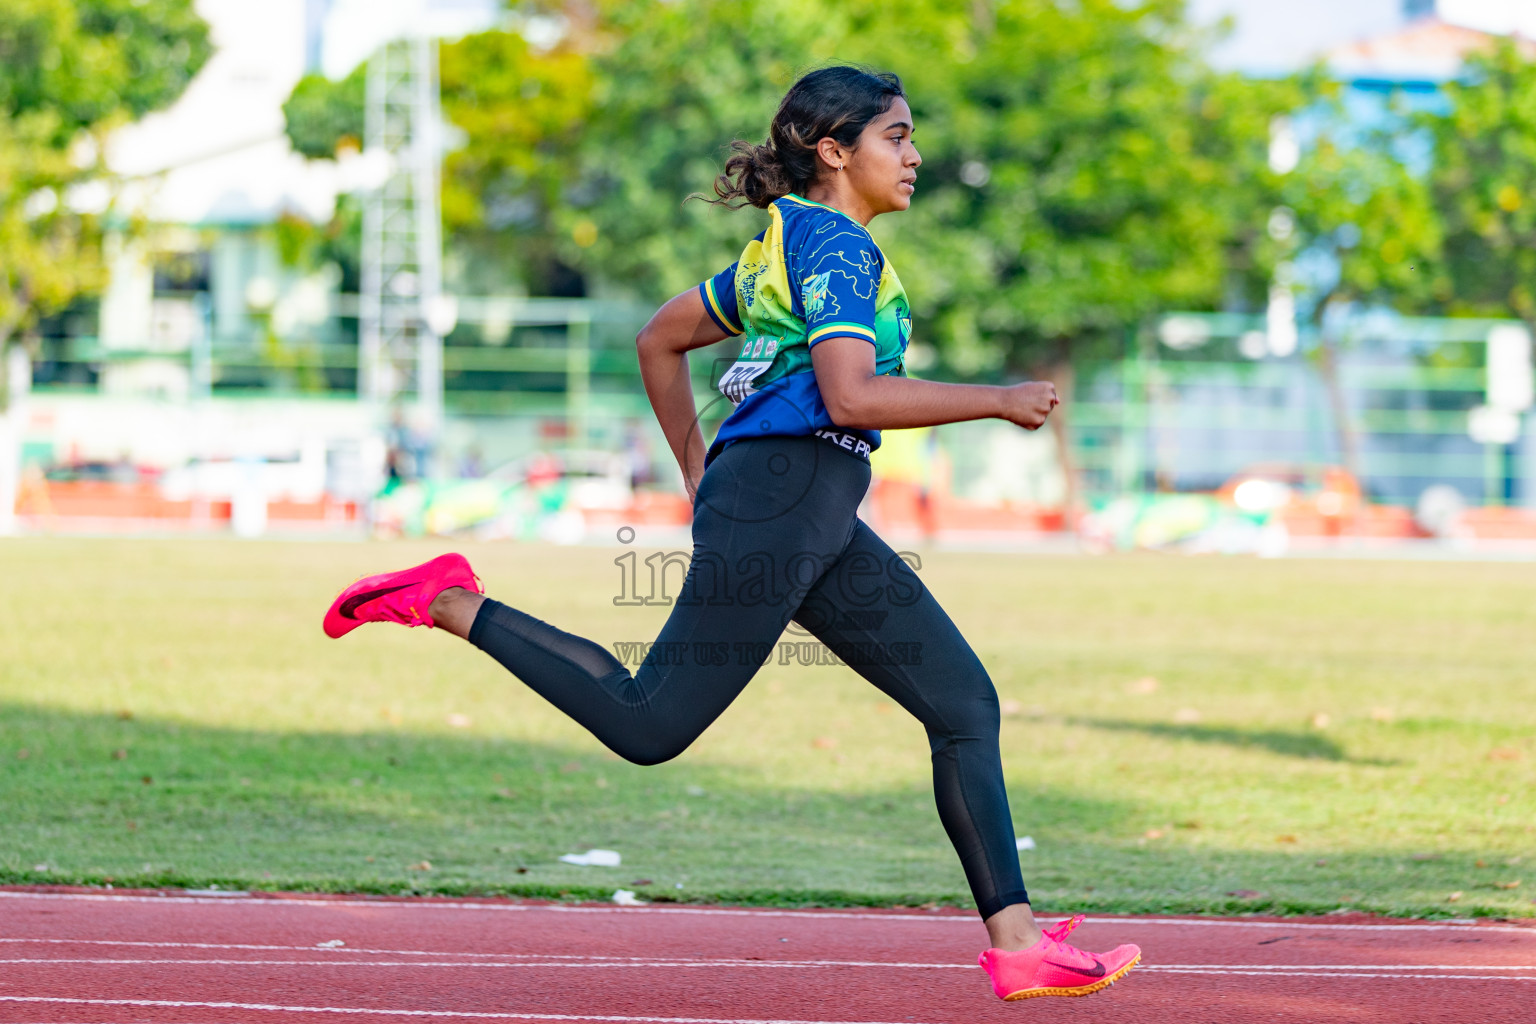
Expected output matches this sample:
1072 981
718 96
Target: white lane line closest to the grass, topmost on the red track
810 916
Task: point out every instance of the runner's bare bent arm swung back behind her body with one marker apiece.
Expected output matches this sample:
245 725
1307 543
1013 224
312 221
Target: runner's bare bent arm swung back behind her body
663 346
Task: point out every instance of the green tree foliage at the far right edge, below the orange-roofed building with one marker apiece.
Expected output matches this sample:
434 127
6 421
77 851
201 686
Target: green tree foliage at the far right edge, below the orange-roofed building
1485 185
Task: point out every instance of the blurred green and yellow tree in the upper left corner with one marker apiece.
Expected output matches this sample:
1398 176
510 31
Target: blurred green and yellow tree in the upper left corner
70 73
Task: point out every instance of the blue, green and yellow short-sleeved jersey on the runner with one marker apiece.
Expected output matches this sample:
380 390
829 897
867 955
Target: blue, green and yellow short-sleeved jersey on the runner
815 274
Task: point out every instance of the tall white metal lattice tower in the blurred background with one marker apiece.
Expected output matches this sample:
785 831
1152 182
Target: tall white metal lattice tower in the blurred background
400 331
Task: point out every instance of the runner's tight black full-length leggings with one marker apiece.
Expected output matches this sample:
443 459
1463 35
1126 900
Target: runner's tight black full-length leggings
776 540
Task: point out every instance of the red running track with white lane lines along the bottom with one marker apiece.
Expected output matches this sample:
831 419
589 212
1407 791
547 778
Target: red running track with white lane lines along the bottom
91 957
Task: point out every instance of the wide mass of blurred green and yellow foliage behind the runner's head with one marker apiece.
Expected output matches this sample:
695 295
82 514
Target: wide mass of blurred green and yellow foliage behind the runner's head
1085 130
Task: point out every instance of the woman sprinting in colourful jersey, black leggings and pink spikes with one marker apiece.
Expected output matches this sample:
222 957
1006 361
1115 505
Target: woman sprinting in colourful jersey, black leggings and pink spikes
776 540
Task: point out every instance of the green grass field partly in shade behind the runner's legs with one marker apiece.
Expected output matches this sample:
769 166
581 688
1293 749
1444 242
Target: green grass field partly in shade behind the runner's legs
1180 735
